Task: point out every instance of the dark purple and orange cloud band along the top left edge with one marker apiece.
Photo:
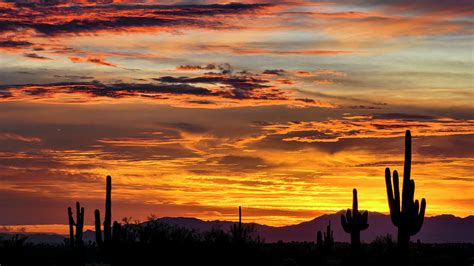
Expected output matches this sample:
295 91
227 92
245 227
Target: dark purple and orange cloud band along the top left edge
76 19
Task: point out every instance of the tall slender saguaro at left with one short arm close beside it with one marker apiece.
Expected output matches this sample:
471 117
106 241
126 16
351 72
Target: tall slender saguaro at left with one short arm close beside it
107 219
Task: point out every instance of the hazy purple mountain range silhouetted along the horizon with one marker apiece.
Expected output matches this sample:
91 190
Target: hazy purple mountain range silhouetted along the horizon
436 229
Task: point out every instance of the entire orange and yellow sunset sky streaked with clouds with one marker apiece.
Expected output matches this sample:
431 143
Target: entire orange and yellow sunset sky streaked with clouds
197 107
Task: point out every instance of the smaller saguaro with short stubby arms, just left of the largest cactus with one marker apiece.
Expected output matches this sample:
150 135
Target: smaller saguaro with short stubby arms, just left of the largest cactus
354 221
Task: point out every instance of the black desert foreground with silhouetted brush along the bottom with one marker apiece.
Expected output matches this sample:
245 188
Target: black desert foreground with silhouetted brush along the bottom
160 244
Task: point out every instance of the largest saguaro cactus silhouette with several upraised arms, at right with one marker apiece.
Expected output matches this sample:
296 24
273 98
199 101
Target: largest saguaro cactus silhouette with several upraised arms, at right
408 218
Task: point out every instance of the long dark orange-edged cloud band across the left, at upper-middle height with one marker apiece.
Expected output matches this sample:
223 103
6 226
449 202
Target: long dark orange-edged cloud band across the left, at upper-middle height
218 92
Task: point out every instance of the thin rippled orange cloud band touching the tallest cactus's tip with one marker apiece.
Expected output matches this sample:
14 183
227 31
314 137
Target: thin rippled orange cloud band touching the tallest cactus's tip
378 126
